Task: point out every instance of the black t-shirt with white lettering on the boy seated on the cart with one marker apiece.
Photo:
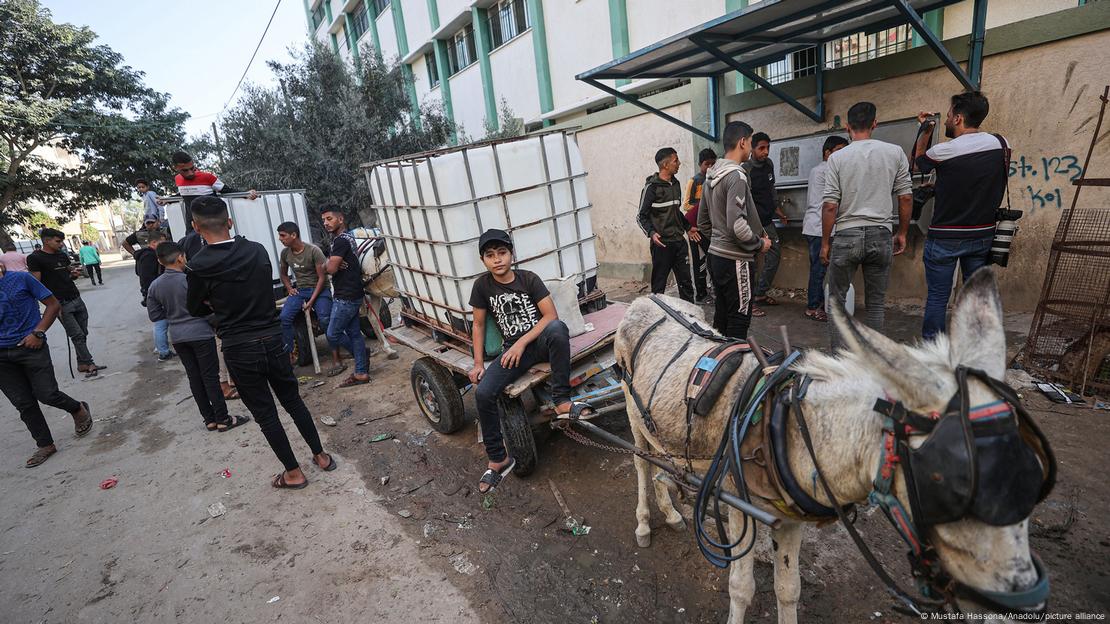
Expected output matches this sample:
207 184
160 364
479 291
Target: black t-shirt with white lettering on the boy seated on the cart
514 307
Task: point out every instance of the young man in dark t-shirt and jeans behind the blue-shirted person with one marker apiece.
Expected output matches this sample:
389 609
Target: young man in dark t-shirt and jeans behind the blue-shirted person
53 267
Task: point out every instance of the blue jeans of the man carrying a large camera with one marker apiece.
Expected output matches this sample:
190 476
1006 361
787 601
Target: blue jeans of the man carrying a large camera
941 259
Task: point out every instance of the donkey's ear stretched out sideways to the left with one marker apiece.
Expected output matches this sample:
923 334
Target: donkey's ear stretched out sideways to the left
892 363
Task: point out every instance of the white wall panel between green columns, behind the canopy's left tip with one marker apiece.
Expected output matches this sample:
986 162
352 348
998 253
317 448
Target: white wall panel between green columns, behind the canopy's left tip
578 41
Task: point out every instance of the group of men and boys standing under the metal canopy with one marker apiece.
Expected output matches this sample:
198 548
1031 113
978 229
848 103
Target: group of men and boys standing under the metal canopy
725 227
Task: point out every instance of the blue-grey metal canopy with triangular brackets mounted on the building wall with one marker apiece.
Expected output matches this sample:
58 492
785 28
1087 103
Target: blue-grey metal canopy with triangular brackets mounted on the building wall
768 33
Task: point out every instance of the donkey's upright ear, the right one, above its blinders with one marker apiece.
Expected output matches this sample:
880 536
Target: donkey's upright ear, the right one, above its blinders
975 328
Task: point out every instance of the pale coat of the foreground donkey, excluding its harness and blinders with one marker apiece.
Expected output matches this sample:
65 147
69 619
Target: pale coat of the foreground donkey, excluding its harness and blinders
847 434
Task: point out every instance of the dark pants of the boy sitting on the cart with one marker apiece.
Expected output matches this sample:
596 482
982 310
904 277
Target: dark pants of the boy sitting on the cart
553 347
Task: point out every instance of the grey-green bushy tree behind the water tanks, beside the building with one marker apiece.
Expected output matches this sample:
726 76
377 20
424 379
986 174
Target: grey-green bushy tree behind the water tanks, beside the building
319 124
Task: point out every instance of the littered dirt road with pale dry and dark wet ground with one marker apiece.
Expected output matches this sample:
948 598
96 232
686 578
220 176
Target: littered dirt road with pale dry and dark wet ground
399 535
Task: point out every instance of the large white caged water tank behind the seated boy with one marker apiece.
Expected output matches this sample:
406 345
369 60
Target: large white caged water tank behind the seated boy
432 209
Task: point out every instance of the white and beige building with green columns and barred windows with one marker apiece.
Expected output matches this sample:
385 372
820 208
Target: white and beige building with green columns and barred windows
1043 64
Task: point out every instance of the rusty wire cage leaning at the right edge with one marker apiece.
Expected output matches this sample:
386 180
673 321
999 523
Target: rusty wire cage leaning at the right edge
1069 340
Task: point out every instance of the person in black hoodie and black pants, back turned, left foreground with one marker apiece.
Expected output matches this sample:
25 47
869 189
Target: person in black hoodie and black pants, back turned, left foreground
230 279
